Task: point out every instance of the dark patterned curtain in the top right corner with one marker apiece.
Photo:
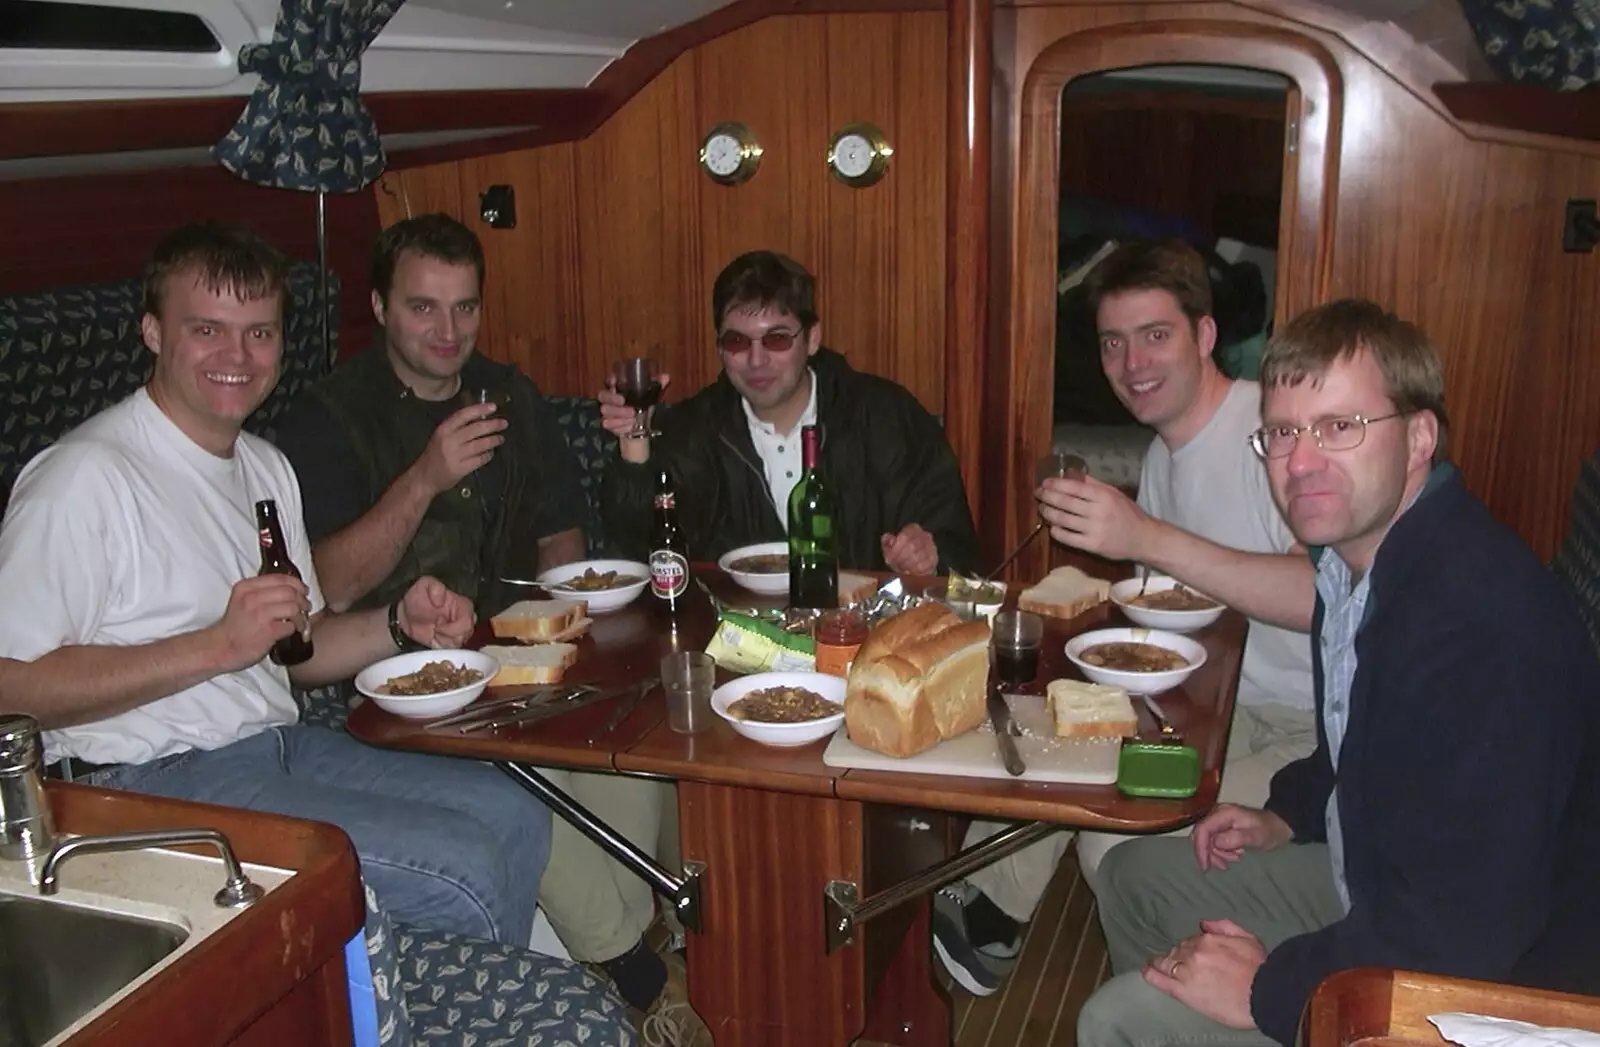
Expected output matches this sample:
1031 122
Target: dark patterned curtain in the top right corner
1551 44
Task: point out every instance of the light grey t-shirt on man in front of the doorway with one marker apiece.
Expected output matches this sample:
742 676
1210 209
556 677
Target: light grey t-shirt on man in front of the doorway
1217 487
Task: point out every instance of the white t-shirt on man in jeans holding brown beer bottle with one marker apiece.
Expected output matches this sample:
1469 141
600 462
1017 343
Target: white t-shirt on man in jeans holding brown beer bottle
129 532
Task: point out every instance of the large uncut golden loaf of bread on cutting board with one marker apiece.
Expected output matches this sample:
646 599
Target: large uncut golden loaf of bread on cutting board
919 680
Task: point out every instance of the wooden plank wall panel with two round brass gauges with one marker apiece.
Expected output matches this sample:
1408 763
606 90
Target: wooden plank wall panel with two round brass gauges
620 236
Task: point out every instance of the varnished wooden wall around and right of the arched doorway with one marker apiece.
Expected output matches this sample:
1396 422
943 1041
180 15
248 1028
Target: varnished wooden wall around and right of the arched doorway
1441 223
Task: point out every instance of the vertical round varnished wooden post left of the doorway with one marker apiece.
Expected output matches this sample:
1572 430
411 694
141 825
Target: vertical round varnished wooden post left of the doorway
967 260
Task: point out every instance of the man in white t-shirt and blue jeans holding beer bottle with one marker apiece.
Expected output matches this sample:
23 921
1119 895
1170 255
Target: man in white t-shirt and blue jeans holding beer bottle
137 628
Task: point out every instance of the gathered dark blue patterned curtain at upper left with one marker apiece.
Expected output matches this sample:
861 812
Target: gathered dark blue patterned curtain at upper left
306 127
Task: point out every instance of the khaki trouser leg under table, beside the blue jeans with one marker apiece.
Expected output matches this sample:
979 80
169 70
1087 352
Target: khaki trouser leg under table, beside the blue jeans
599 909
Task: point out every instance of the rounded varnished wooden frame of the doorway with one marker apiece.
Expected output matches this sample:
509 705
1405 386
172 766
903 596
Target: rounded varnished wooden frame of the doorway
1306 219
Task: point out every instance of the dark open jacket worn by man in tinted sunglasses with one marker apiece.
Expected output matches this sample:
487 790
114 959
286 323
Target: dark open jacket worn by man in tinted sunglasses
884 455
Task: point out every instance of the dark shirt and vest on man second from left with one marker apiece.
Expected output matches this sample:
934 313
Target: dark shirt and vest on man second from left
361 428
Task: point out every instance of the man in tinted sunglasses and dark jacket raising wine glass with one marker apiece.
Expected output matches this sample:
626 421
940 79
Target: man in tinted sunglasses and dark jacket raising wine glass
734 449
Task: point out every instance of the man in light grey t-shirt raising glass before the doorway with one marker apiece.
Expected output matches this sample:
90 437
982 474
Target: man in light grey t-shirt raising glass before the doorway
1206 516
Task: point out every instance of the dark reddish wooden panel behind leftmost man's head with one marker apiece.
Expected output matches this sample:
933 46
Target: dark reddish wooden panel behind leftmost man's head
66 231
